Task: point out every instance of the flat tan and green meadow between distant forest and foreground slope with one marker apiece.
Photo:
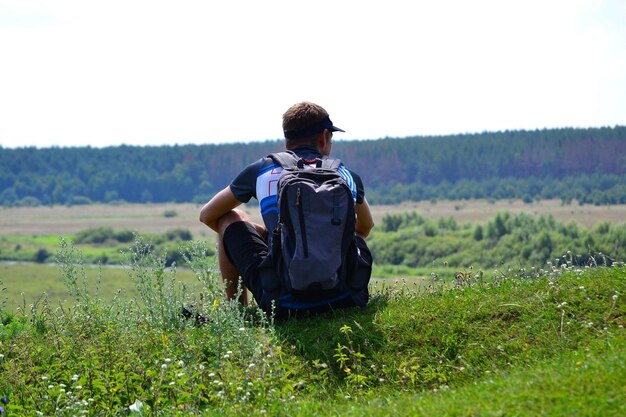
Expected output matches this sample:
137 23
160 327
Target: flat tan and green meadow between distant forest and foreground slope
33 233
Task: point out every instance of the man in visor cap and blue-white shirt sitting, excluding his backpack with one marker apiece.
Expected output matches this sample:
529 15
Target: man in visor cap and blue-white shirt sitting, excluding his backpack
242 244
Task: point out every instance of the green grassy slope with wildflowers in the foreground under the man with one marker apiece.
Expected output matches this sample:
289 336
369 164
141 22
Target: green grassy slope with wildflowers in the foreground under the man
551 344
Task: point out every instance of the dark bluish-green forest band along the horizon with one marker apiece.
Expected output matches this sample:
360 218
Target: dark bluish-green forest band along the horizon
585 165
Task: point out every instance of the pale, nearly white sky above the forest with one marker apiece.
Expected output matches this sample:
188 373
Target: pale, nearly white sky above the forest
104 73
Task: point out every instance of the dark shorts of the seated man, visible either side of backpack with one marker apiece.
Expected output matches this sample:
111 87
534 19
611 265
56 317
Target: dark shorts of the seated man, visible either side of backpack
246 249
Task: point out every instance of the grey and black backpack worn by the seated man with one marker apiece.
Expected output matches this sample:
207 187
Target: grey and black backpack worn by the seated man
313 255
